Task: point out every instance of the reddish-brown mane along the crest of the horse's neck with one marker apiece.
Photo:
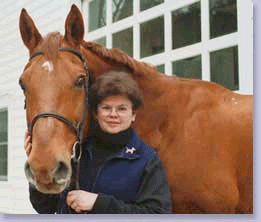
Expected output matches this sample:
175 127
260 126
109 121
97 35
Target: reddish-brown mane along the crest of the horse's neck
117 56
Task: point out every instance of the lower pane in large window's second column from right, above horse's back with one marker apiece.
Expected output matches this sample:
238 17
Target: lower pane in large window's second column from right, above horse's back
190 68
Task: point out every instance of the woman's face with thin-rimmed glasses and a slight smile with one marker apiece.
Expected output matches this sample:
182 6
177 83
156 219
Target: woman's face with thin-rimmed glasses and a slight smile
115 114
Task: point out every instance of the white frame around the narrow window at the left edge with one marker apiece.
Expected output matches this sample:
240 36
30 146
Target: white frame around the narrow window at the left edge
5 105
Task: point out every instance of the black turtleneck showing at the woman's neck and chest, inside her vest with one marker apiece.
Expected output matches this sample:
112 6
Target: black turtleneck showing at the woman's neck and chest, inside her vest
108 144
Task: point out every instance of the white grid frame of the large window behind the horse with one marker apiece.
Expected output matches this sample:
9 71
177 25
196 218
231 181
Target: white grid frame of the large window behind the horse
243 38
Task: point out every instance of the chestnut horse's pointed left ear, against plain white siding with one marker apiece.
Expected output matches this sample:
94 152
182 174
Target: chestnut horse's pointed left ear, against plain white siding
30 34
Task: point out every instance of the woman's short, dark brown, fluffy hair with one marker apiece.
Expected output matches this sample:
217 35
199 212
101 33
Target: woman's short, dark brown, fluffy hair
114 83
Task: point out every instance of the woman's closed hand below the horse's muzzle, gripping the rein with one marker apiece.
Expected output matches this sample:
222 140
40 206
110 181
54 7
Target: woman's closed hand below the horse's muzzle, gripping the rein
80 200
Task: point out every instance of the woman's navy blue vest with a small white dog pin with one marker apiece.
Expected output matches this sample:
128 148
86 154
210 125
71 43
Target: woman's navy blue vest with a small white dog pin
120 175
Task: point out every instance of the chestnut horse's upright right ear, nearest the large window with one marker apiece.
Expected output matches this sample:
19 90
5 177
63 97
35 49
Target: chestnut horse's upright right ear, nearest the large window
74 26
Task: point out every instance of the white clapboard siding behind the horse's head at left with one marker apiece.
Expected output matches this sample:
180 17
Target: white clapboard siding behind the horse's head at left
49 15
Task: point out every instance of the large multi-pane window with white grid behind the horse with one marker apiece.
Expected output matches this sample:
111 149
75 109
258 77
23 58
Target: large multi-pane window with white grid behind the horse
190 38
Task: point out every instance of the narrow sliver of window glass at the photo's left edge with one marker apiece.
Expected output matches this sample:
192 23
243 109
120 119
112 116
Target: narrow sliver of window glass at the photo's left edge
3 143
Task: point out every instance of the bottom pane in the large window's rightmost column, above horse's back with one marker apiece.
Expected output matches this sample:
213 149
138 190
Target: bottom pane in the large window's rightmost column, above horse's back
224 67
